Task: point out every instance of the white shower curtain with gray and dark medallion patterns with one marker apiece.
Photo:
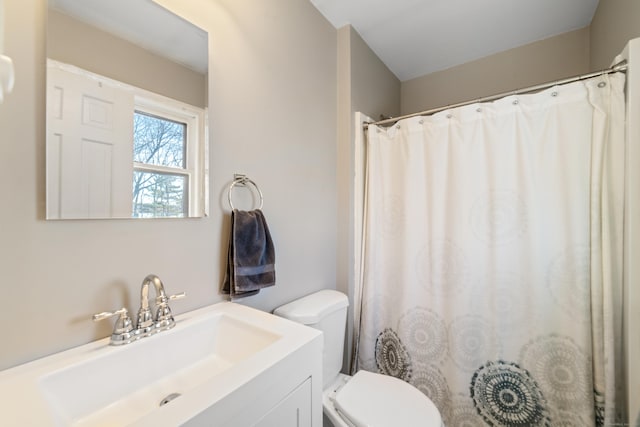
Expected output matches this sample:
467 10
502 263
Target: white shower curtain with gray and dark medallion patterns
492 263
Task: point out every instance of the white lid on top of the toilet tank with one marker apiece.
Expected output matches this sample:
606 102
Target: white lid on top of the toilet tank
312 308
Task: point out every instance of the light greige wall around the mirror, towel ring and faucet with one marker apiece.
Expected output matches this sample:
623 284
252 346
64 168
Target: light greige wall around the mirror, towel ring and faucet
272 116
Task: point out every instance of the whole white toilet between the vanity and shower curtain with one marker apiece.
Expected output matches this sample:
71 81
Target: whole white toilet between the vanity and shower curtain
366 399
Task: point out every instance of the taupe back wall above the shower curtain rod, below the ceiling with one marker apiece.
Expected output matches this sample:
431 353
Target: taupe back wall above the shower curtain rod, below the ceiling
543 61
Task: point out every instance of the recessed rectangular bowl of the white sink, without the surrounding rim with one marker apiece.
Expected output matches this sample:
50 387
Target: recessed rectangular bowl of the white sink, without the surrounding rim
151 370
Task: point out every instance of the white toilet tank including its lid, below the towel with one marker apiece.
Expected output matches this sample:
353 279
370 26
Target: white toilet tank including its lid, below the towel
325 310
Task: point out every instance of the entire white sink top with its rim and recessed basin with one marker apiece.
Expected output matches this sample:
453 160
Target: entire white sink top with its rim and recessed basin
173 375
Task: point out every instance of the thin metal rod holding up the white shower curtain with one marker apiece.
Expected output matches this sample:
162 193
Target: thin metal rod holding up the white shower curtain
619 67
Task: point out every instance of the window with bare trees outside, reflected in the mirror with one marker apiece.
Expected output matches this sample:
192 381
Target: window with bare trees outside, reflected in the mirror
163 161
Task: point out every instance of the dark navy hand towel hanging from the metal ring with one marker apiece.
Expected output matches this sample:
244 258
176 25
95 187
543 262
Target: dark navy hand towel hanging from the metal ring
251 259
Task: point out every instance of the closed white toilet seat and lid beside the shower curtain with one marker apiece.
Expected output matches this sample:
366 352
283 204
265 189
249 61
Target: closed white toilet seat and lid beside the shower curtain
370 399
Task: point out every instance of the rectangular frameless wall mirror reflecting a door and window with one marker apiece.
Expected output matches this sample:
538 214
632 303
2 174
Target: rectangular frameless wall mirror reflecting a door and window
127 95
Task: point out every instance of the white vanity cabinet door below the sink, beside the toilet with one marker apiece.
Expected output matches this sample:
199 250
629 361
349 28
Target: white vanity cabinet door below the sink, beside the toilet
292 411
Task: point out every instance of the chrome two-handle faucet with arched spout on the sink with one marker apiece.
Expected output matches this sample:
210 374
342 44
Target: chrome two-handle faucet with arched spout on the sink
124 331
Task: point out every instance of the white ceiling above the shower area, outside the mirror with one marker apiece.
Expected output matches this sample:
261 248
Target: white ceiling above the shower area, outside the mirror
418 37
